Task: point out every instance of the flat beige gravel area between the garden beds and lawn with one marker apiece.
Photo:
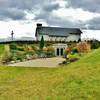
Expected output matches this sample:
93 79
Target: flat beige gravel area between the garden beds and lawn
43 62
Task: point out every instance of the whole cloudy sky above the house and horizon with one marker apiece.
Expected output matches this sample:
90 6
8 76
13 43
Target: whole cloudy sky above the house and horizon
21 16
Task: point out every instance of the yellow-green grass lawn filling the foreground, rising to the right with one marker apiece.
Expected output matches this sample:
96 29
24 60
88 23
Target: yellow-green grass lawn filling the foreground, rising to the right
77 81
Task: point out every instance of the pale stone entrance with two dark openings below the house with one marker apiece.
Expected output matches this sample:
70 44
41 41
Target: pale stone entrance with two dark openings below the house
59 49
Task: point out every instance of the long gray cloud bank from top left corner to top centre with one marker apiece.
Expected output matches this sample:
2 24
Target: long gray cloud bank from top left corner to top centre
15 9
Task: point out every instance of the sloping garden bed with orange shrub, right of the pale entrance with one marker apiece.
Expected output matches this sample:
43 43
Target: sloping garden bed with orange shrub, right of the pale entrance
74 53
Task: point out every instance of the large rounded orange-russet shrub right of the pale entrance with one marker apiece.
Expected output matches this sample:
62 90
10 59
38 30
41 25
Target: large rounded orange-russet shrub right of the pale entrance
83 47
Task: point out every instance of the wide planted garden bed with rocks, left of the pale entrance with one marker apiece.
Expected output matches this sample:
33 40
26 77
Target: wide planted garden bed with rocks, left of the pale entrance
24 52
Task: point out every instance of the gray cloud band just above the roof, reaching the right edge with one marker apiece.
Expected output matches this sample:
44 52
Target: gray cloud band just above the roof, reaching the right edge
51 20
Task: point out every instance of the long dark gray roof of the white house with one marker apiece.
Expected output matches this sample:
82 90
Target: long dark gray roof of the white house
57 31
